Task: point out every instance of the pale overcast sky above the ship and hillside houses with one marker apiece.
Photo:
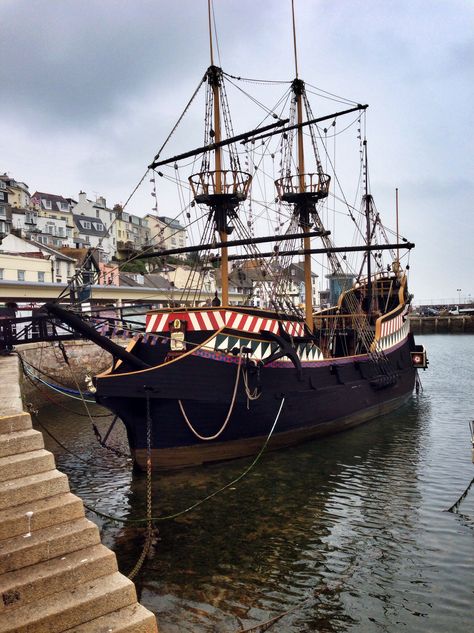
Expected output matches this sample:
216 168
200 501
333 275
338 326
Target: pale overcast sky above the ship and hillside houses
90 88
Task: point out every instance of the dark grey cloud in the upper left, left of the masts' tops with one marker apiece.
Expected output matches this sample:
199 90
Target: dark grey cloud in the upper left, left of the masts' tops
72 62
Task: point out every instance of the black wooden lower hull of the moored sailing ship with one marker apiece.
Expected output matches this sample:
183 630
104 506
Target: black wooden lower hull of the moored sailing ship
199 408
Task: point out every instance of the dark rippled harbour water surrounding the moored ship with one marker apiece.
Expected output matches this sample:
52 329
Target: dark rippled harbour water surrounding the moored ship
348 533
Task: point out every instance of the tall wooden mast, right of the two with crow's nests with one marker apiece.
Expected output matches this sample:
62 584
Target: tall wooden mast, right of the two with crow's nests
298 88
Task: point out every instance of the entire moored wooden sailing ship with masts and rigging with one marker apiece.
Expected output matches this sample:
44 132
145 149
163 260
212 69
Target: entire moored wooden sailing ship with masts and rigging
215 380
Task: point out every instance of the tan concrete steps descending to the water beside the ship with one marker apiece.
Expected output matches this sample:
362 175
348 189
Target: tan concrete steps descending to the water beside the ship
55 575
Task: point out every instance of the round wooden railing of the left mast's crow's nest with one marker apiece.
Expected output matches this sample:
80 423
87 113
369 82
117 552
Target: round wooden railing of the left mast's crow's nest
225 181
